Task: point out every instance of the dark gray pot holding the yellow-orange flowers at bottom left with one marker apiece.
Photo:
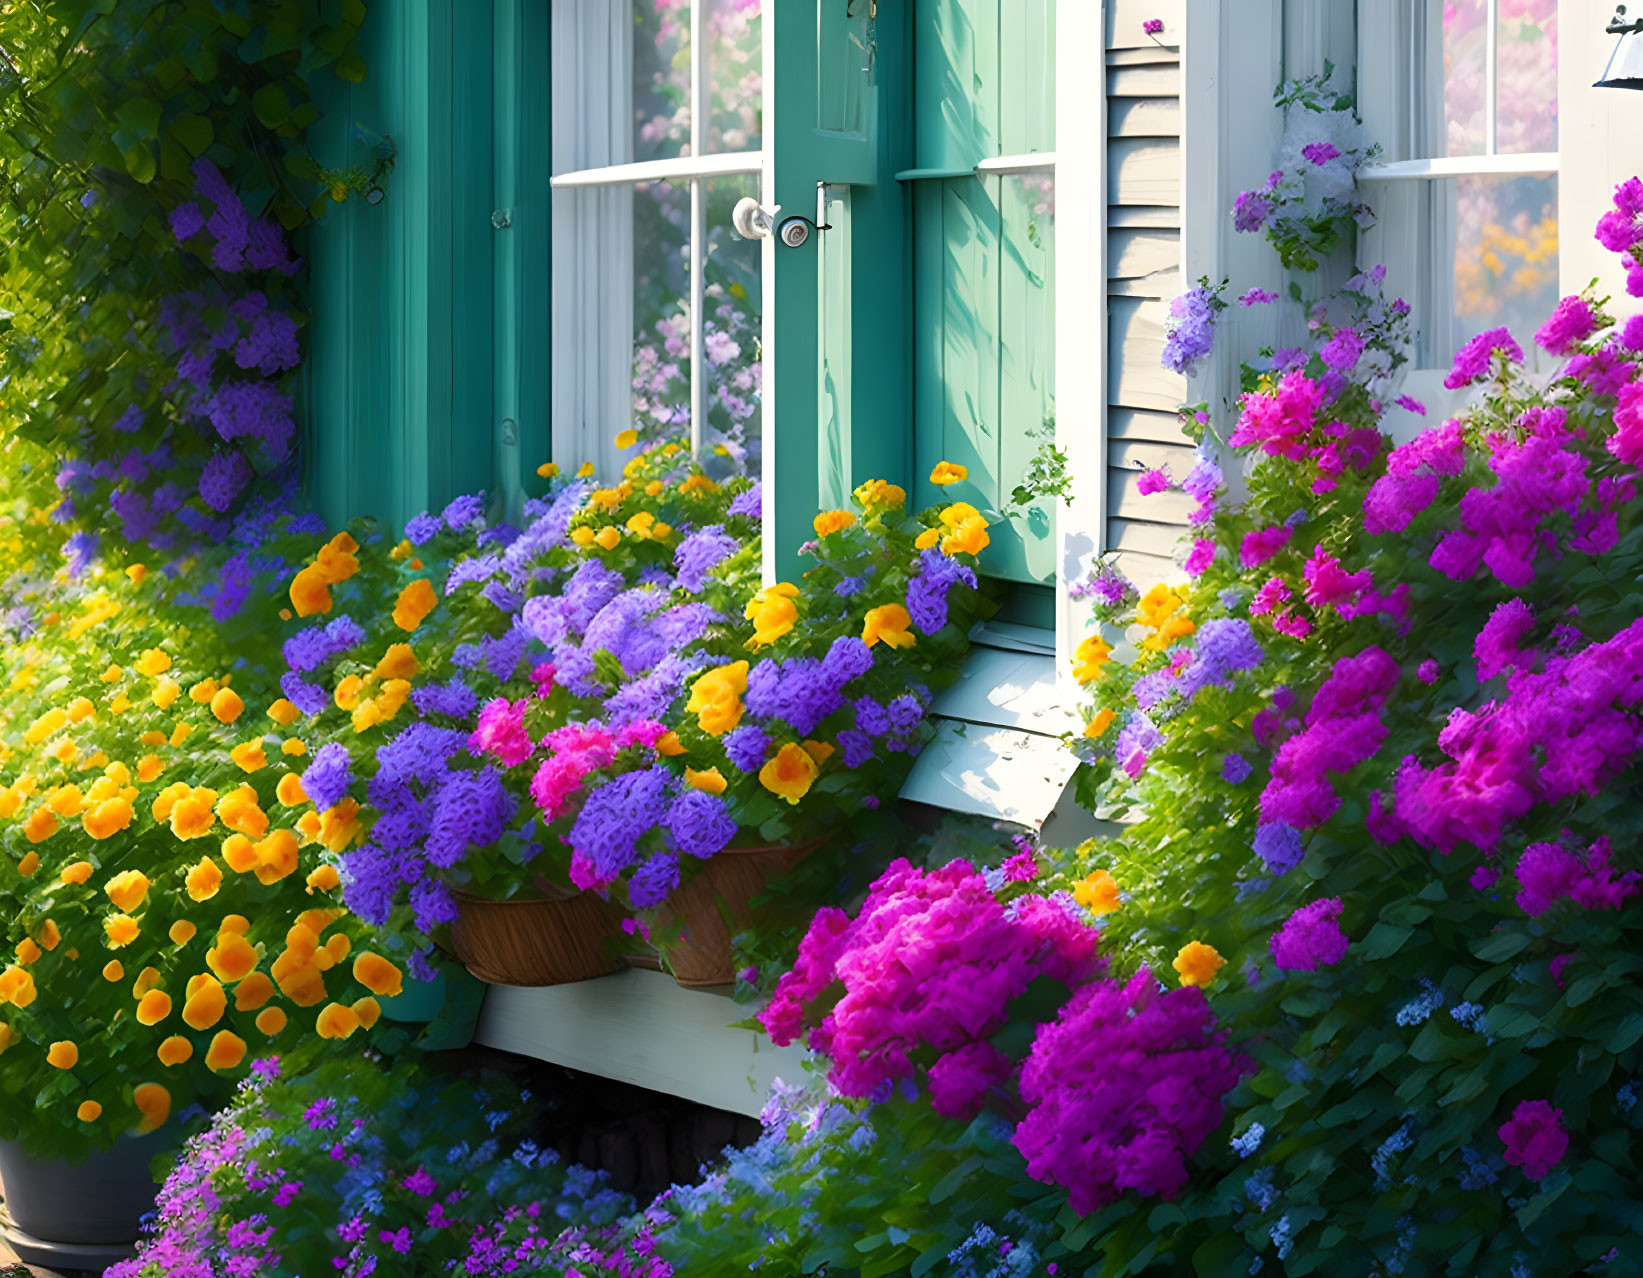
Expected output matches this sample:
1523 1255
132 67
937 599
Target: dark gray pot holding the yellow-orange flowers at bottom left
98 1202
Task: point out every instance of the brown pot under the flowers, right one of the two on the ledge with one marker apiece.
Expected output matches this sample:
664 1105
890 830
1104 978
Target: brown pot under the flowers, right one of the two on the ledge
730 880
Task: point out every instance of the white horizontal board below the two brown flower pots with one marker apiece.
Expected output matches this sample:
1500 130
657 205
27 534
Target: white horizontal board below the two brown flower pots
640 1027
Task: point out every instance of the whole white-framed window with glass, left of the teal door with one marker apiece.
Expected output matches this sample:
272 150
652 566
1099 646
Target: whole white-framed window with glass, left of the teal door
658 132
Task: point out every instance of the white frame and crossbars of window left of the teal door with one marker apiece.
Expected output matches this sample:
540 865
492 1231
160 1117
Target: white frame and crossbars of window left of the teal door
592 313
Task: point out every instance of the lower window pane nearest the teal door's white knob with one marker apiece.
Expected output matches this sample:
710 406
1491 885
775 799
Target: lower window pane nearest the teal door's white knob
730 334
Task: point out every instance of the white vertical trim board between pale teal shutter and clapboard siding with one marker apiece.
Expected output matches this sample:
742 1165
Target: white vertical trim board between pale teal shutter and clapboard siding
1080 313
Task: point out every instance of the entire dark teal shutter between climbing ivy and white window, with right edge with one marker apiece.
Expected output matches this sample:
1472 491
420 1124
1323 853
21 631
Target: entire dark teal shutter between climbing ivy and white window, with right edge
430 323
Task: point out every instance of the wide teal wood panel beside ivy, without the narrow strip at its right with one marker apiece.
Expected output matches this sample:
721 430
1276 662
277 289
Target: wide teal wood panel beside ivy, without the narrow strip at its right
402 408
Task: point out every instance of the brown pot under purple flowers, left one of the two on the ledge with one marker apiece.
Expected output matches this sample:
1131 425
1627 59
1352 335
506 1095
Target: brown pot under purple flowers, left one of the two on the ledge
538 940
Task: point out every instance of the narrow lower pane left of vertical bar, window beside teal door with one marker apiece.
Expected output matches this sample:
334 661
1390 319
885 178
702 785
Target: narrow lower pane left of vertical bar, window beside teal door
661 310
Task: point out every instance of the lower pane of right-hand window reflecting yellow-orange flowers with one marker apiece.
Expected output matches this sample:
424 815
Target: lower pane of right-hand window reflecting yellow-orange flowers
1504 257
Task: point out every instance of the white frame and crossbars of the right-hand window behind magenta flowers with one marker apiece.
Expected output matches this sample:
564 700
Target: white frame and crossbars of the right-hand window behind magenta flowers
1399 186
